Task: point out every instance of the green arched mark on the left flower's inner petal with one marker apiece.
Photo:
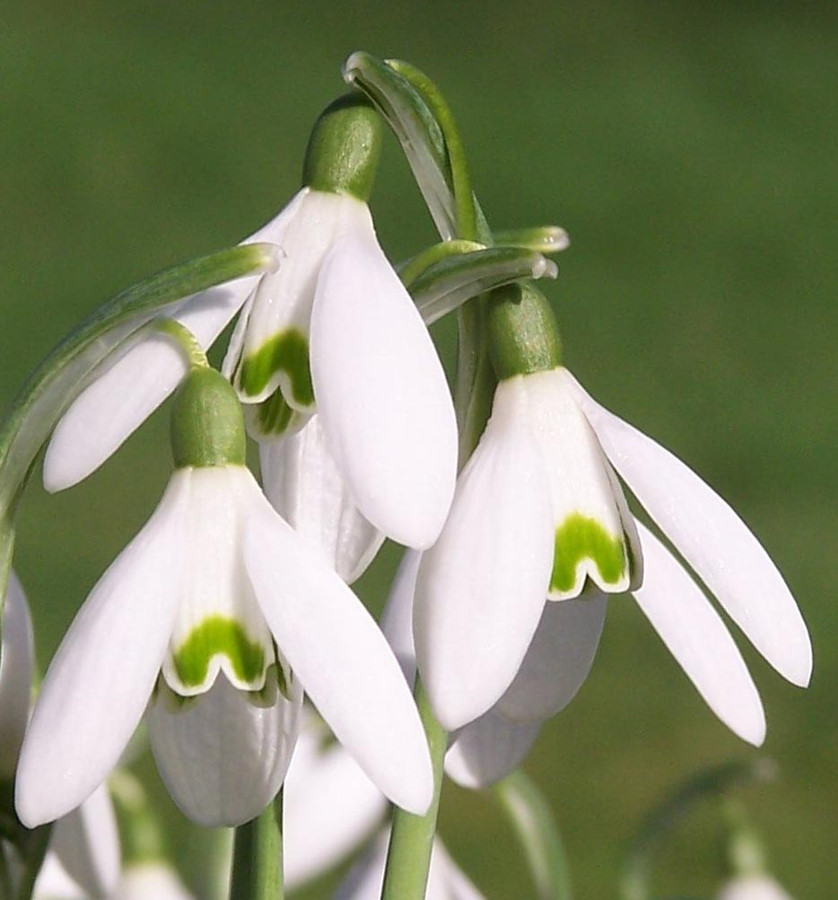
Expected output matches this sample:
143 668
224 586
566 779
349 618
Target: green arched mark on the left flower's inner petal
212 637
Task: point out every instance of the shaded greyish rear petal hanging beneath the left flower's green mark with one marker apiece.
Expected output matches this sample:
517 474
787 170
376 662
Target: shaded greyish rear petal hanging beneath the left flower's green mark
221 757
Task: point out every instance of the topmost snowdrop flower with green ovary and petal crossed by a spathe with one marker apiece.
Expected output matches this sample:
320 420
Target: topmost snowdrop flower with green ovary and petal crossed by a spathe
333 324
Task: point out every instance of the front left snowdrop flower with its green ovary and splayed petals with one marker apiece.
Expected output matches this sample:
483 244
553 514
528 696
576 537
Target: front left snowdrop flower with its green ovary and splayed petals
220 614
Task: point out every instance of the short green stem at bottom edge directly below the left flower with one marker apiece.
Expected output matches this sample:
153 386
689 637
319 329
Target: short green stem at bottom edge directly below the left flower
257 856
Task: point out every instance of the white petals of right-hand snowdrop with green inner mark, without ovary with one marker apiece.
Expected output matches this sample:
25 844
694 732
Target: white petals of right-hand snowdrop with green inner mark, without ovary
539 513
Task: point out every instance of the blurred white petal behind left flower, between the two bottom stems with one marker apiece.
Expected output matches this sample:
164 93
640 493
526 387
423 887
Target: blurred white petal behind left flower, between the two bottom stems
330 807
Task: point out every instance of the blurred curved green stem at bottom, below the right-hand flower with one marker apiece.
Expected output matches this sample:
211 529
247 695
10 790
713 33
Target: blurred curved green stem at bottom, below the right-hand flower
538 835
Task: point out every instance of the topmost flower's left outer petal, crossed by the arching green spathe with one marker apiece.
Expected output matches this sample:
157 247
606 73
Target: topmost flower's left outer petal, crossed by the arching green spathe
128 387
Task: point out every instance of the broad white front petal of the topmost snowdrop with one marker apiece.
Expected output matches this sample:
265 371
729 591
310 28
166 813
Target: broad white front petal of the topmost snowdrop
381 393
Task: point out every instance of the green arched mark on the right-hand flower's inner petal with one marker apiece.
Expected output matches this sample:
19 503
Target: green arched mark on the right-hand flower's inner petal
580 537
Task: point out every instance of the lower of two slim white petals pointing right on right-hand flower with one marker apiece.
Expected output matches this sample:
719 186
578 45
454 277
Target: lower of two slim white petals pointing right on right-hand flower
697 638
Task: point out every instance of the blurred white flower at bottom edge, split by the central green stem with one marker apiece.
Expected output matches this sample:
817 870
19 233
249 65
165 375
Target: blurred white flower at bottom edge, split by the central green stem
445 879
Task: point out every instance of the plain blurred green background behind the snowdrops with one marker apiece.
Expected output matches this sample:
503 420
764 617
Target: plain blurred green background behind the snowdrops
690 151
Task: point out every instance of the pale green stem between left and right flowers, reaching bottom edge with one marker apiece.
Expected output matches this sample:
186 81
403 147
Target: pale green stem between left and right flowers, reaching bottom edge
412 837
